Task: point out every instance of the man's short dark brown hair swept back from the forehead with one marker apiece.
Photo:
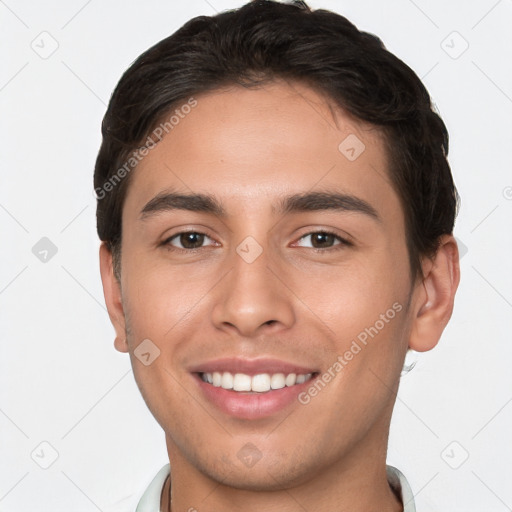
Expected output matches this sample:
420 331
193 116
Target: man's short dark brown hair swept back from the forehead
265 40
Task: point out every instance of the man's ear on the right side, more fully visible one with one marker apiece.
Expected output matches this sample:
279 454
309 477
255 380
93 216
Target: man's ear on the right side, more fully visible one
435 295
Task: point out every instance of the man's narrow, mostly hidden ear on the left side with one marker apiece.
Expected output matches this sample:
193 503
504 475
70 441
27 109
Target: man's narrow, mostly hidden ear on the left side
113 298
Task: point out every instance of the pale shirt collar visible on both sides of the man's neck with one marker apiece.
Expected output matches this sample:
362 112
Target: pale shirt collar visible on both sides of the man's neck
150 501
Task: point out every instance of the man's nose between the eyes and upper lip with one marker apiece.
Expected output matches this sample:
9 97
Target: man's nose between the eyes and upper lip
251 299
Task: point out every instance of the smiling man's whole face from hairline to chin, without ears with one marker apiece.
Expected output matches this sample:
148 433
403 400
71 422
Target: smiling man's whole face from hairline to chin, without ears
289 260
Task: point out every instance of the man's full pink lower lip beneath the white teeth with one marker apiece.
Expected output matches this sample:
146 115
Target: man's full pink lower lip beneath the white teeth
251 406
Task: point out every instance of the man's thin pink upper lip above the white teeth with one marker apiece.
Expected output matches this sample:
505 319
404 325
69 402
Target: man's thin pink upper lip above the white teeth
250 366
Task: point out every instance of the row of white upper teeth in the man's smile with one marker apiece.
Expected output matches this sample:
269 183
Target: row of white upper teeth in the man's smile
261 383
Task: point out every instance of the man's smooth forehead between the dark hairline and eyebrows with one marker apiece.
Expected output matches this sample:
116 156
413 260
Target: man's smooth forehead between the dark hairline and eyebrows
249 146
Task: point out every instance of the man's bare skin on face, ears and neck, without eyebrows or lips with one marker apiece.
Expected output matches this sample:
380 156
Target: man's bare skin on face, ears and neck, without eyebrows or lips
249 148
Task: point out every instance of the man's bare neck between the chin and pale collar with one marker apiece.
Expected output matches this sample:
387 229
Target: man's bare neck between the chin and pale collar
357 483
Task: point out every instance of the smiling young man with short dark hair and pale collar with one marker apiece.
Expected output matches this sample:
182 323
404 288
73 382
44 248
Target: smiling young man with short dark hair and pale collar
276 211
